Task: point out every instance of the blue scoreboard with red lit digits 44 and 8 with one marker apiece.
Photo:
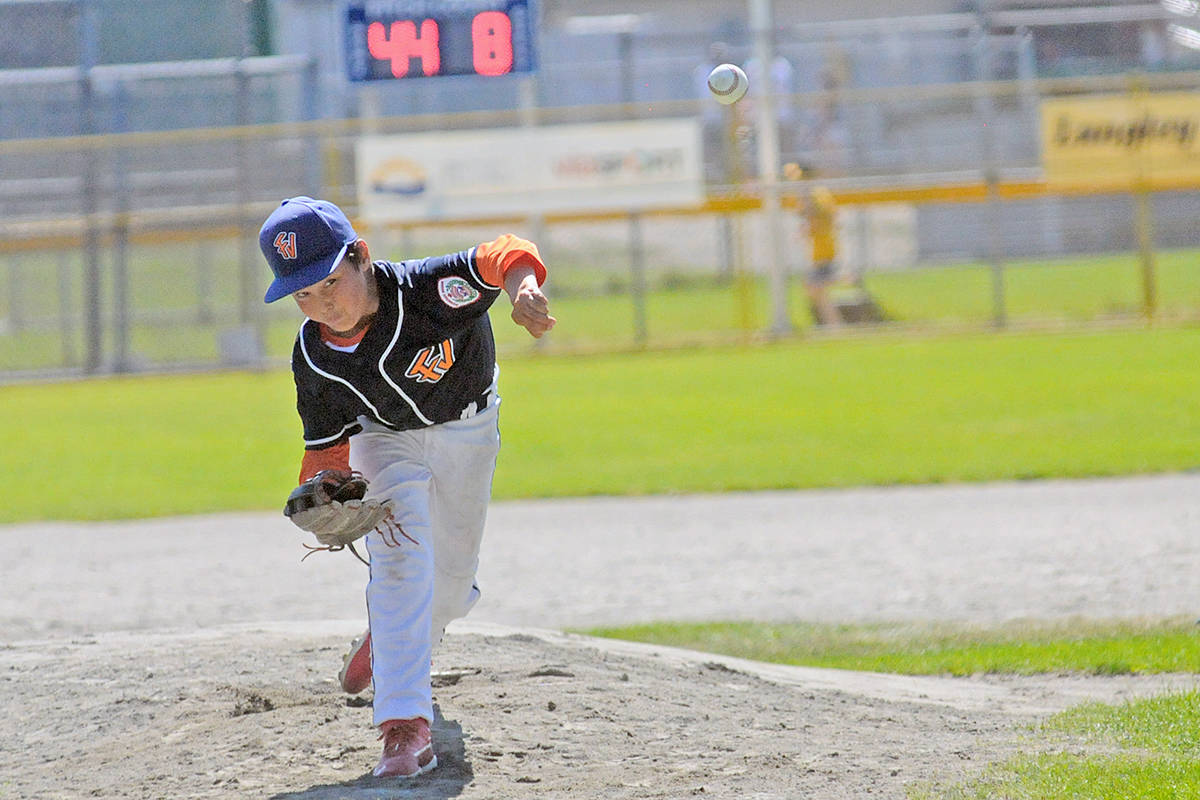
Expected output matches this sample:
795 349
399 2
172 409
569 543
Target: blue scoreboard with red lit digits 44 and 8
391 40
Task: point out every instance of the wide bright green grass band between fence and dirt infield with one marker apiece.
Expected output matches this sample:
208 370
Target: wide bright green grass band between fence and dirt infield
878 411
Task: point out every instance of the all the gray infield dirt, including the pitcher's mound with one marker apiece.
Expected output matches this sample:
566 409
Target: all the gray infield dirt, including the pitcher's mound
196 658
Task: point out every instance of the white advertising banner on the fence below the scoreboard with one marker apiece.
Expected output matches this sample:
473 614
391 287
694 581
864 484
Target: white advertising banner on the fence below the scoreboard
463 175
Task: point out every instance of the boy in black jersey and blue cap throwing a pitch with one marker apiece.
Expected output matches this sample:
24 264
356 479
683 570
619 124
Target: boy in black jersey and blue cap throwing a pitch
397 380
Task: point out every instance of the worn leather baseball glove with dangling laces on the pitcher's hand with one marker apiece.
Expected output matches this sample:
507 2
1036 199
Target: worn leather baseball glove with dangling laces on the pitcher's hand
333 507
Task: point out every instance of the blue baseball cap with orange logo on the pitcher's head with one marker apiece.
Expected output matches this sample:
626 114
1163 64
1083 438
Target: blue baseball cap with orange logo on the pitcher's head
304 240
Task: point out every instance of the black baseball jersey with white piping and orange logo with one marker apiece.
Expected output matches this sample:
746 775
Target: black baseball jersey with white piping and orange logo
429 357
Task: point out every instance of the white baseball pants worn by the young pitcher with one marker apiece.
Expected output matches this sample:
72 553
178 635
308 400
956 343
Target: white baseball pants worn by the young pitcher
441 480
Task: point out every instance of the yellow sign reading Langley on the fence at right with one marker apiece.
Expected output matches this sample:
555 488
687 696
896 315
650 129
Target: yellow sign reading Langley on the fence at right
1123 139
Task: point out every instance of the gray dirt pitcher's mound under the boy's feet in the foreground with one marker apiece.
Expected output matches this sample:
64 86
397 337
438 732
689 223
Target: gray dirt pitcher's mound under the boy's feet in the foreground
254 712
